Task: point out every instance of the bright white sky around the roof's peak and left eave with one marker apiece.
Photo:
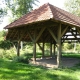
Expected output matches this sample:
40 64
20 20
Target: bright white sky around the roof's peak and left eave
58 3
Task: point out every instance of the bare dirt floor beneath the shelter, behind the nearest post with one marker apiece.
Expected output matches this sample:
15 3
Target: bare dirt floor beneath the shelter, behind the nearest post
52 62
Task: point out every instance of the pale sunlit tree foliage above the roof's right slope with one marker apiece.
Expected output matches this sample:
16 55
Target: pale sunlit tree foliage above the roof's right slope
73 6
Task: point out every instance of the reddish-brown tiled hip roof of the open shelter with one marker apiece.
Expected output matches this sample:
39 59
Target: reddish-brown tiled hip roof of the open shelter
46 12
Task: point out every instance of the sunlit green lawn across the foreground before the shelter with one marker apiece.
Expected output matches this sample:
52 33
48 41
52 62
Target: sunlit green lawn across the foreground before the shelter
10 70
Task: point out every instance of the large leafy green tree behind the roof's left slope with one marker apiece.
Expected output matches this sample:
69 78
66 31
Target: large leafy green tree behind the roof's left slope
19 7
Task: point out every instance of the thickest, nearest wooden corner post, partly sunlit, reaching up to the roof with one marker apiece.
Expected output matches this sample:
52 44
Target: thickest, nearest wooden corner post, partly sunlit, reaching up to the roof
59 47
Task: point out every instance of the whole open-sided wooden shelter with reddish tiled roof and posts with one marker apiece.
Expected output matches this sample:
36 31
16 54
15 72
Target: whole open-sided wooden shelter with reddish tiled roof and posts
47 24
